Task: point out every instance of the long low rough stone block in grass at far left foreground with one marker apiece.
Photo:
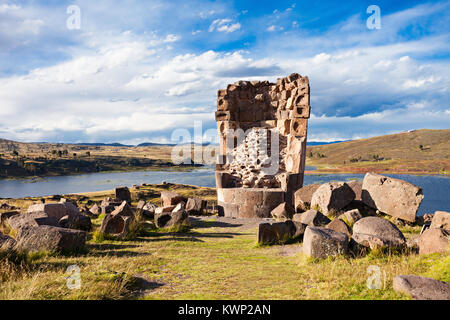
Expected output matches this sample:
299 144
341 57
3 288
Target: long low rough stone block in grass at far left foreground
50 238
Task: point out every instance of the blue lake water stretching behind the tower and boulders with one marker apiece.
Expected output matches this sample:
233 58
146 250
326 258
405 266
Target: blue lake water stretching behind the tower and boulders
436 189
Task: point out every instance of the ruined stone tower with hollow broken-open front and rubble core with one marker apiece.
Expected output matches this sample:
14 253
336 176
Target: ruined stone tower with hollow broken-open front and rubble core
262 129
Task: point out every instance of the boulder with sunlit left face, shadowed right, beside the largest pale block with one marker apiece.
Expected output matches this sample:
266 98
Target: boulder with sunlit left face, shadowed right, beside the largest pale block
332 196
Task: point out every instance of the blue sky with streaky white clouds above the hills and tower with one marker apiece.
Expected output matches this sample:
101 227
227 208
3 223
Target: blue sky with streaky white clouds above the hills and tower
134 71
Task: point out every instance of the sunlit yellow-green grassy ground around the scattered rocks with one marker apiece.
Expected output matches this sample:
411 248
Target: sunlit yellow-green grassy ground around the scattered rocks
217 259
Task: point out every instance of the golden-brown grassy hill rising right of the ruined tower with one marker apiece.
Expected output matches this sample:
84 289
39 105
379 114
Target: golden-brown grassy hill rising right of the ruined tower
417 151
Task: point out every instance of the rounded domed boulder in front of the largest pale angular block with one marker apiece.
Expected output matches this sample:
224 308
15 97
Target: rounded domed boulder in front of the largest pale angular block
377 232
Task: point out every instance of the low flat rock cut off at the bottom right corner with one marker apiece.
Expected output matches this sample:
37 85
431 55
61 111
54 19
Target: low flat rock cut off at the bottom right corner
421 288
